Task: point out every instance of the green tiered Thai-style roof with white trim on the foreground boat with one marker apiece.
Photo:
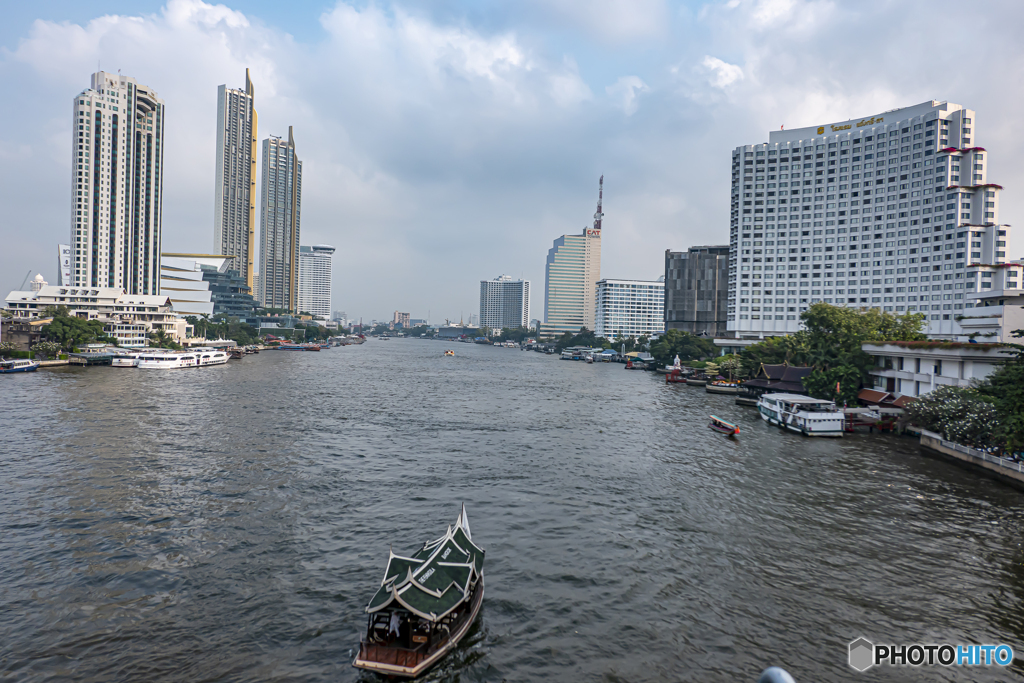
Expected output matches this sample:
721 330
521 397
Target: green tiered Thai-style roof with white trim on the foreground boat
437 579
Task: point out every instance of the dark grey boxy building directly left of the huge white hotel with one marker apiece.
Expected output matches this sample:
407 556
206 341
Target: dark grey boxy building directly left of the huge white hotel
697 290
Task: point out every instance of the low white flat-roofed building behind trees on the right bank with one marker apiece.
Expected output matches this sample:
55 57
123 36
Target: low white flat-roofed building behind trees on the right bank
914 369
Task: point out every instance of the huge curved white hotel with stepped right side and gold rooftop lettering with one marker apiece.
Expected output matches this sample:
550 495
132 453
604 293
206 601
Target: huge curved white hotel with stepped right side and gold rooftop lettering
886 211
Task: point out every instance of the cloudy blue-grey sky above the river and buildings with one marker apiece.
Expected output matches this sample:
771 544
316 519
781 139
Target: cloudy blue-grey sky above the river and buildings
450 142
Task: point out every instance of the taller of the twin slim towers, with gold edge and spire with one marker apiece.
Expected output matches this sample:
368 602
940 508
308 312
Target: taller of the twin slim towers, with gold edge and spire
235 194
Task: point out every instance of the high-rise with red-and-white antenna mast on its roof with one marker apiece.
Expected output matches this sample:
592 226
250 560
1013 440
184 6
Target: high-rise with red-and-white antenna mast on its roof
571 278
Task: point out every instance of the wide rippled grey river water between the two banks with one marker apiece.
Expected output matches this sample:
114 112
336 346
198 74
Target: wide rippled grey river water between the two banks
231 524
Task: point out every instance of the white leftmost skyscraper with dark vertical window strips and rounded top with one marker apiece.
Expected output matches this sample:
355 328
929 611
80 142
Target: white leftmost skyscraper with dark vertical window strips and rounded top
117 183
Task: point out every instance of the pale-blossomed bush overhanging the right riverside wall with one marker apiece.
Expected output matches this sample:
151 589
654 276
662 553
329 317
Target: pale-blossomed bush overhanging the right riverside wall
960 414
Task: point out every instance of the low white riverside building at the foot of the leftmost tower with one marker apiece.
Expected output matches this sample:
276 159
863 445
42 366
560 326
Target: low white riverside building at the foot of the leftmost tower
109 305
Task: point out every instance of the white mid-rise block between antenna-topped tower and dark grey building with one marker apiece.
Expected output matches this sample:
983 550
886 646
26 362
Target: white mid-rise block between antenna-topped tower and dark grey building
630 309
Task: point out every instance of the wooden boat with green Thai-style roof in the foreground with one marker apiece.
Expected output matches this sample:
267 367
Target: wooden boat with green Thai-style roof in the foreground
426 604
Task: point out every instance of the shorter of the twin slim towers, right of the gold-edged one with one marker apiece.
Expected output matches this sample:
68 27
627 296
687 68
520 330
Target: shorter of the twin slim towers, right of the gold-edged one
280 223
